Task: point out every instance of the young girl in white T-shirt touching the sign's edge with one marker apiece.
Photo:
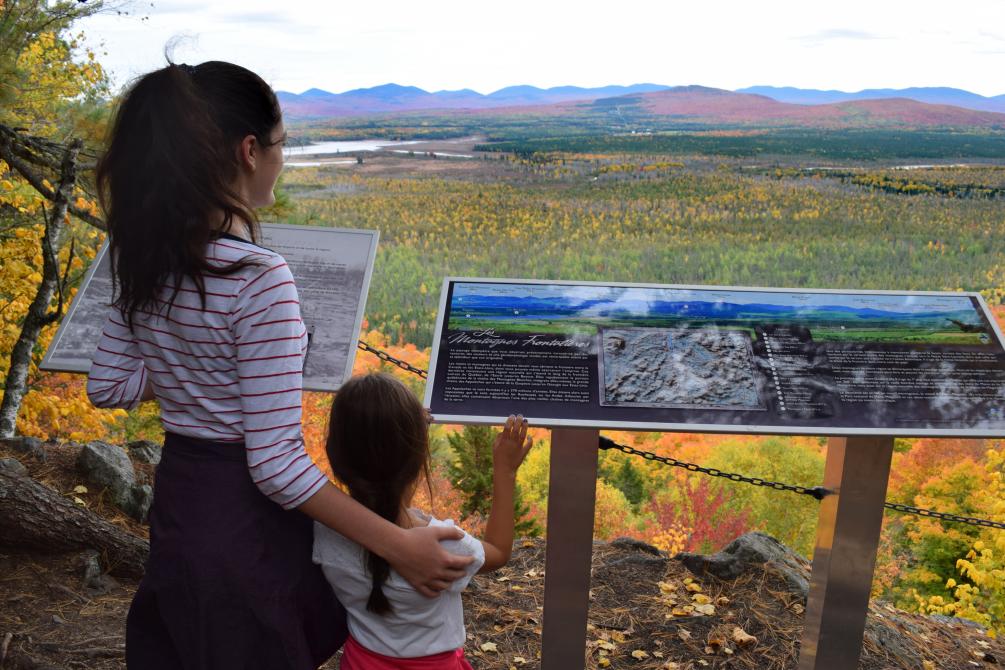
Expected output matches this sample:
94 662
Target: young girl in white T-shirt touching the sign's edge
378 446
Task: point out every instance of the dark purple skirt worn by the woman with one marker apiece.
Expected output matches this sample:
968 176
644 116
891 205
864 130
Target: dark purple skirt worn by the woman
231 583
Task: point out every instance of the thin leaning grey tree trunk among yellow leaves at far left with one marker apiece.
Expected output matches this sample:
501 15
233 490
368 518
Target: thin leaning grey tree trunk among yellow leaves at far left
40 316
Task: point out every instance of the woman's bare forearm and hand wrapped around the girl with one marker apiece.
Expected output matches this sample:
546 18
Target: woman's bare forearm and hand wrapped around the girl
416 554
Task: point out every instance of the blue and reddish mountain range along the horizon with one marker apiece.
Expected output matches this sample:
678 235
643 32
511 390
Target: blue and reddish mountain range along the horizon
391 99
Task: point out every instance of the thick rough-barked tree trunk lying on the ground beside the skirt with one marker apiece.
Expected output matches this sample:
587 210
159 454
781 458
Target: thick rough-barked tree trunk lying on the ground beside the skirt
33 516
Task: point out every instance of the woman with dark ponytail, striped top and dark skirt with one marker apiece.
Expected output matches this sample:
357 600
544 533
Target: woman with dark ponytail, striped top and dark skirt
209 323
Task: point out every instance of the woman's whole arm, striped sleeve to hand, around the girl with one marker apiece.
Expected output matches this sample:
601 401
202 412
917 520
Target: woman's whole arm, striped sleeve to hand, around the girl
272 341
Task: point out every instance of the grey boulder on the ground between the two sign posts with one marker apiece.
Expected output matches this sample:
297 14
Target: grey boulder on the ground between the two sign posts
753 550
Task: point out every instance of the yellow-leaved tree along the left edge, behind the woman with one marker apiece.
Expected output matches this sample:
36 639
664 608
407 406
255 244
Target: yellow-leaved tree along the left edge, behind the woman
45 84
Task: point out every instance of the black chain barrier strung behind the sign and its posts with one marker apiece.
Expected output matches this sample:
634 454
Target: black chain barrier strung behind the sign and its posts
819 493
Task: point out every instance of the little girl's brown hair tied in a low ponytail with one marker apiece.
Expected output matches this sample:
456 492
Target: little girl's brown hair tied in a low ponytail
378 445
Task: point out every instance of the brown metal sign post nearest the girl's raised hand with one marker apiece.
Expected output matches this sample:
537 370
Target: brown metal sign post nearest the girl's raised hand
571 498
